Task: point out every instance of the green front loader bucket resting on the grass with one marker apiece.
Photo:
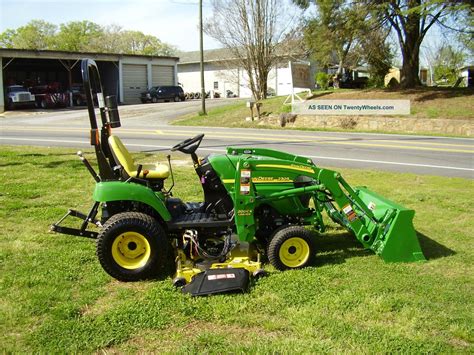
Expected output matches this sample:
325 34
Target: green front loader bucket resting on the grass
393 236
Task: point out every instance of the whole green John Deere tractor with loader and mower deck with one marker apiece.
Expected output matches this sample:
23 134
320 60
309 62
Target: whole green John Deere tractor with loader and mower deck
256 202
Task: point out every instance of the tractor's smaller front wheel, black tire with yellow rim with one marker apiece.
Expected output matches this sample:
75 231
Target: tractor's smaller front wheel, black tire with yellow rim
291 248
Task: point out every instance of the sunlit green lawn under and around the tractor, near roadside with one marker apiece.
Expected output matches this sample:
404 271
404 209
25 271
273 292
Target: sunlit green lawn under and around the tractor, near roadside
54 296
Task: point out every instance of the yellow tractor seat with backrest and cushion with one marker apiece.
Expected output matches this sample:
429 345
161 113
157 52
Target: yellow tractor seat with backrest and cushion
123 157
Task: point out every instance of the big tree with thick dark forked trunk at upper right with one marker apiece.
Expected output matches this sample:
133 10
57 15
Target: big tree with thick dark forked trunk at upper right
411 20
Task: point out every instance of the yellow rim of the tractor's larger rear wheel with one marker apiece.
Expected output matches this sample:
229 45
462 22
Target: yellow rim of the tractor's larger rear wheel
131 250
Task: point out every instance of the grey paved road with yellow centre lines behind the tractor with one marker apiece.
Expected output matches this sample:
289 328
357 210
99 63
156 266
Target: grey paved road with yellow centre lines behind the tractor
145 128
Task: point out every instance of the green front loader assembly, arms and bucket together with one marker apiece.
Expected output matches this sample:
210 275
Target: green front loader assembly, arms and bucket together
379 224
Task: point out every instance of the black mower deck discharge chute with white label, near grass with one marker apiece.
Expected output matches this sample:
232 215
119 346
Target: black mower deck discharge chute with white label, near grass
215 281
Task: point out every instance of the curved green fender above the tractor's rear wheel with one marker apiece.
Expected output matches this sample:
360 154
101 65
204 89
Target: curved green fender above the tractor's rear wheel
108 191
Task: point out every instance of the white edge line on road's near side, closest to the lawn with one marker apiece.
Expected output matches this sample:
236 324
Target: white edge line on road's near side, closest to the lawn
223 150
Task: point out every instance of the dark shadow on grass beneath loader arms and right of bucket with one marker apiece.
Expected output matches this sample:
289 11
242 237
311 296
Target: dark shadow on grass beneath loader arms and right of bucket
337 247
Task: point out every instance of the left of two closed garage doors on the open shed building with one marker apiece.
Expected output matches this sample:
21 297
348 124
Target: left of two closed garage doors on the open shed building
134 82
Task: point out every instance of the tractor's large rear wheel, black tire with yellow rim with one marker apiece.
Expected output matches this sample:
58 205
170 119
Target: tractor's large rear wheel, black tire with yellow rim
132 246
